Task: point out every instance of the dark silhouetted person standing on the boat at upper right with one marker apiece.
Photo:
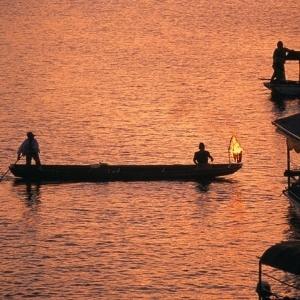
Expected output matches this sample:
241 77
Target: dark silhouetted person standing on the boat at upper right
279 57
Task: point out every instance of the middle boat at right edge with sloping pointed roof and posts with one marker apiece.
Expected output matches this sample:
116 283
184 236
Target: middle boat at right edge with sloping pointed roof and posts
290 127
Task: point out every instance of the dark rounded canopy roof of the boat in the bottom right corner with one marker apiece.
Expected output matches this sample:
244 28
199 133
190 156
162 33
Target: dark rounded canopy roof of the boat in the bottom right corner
284 256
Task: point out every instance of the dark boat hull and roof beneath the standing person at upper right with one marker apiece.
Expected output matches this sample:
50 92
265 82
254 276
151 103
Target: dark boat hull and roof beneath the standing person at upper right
289 88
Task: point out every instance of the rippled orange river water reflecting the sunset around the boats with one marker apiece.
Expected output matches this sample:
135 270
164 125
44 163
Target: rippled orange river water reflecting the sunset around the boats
142 82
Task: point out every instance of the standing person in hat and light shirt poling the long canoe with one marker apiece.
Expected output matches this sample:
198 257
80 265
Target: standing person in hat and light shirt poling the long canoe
30 149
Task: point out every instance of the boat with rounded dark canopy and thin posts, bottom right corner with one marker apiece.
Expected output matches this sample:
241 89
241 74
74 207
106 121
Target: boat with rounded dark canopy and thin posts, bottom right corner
284 256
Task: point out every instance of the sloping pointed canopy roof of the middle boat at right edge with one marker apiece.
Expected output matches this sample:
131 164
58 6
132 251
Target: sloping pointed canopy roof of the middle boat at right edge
290 128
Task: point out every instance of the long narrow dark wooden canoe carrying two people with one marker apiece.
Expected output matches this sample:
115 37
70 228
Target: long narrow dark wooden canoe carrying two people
106 172
